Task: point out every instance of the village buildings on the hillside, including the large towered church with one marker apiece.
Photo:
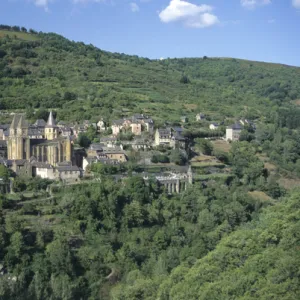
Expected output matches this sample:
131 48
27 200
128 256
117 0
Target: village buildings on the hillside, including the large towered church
46 149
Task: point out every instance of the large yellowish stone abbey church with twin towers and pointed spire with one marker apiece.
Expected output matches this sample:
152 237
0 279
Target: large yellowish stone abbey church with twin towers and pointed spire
40 140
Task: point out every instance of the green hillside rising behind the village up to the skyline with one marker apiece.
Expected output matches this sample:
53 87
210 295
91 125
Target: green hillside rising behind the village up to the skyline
47 70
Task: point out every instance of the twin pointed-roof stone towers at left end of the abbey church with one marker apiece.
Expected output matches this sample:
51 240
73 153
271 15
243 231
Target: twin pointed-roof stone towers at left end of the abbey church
18 142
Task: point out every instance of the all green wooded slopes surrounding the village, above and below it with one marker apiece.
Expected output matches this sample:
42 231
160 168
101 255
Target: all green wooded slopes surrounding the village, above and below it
232 238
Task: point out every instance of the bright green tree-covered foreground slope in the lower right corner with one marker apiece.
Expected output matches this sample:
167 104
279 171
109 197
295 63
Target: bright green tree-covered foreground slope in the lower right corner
258 261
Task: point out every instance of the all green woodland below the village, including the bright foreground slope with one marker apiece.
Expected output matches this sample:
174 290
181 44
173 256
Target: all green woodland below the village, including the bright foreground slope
131 240
